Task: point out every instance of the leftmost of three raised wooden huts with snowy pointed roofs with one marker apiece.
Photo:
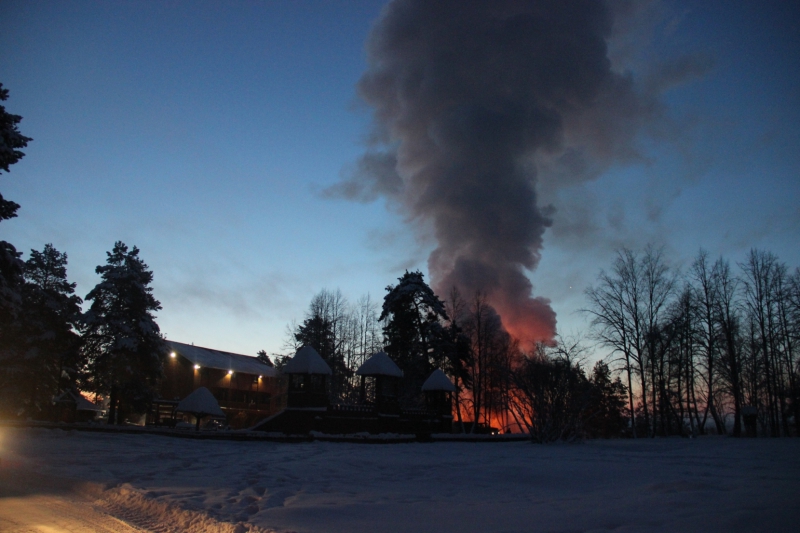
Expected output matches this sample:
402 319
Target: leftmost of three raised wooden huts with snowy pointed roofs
308 373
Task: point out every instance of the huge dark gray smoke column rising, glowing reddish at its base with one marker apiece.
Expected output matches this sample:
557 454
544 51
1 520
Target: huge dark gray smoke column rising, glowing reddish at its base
474 101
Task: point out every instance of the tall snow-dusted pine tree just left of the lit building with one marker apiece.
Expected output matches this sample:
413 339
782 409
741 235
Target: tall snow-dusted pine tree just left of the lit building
123 342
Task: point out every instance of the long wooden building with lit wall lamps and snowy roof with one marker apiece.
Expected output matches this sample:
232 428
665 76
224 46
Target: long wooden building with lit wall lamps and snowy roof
247 389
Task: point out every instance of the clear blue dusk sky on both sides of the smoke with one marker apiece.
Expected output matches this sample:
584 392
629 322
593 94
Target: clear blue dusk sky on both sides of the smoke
210 134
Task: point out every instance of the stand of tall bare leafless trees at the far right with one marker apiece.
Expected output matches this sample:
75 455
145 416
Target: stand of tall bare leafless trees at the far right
711 345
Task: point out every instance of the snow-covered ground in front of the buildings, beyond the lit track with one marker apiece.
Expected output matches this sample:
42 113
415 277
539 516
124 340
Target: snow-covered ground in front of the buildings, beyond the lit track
168 484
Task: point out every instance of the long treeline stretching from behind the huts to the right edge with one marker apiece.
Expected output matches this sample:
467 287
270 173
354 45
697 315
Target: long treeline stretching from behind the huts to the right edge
698 351
